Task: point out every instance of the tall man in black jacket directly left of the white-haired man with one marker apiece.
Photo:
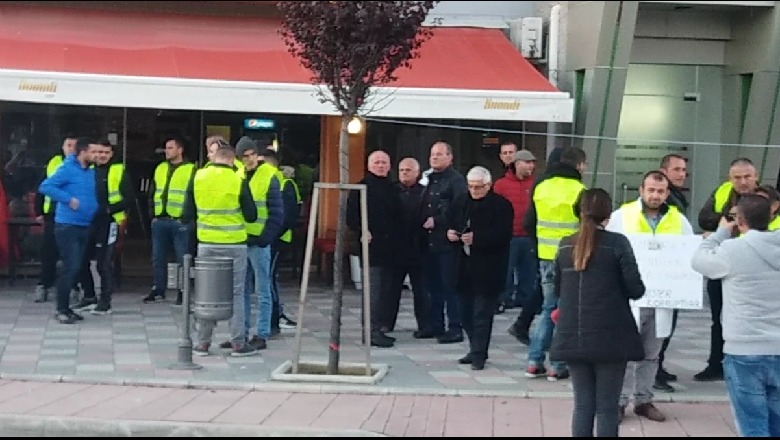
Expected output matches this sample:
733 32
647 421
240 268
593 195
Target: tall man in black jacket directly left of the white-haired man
444 186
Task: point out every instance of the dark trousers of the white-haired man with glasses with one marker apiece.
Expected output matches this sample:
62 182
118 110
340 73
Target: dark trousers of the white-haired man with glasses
477 310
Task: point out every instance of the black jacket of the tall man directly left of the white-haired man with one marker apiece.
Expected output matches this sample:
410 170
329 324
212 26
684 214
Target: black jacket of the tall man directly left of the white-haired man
443 188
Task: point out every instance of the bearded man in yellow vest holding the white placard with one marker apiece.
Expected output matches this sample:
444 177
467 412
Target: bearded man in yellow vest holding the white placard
648 215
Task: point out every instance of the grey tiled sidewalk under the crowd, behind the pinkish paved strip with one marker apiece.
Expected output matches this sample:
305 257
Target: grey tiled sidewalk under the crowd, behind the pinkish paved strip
137 343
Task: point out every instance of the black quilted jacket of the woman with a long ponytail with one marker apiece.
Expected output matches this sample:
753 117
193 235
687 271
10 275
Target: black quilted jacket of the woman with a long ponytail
595 323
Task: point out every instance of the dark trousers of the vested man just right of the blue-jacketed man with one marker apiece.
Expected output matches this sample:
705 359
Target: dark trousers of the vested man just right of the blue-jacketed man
103 254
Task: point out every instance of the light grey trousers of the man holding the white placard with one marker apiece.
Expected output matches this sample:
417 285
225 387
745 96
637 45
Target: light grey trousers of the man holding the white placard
640 376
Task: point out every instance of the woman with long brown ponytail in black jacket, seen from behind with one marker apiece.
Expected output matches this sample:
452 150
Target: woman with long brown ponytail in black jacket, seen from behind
596 334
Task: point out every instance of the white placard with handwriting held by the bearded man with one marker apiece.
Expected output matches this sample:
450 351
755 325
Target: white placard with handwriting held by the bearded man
665 265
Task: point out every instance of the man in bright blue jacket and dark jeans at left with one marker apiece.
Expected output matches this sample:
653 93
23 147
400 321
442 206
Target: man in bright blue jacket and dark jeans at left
72 187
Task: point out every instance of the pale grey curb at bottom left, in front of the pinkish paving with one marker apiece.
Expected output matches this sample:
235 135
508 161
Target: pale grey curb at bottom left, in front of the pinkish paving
12 425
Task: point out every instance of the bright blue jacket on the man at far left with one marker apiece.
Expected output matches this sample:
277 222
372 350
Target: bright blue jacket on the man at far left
72 181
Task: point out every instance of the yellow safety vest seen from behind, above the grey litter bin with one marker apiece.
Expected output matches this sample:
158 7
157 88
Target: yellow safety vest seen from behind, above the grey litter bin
217 191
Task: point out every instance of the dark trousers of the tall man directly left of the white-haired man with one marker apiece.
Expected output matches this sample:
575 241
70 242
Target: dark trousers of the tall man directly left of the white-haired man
439 275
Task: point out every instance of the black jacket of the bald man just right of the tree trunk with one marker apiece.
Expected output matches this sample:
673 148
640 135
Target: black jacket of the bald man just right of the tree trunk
384 209
